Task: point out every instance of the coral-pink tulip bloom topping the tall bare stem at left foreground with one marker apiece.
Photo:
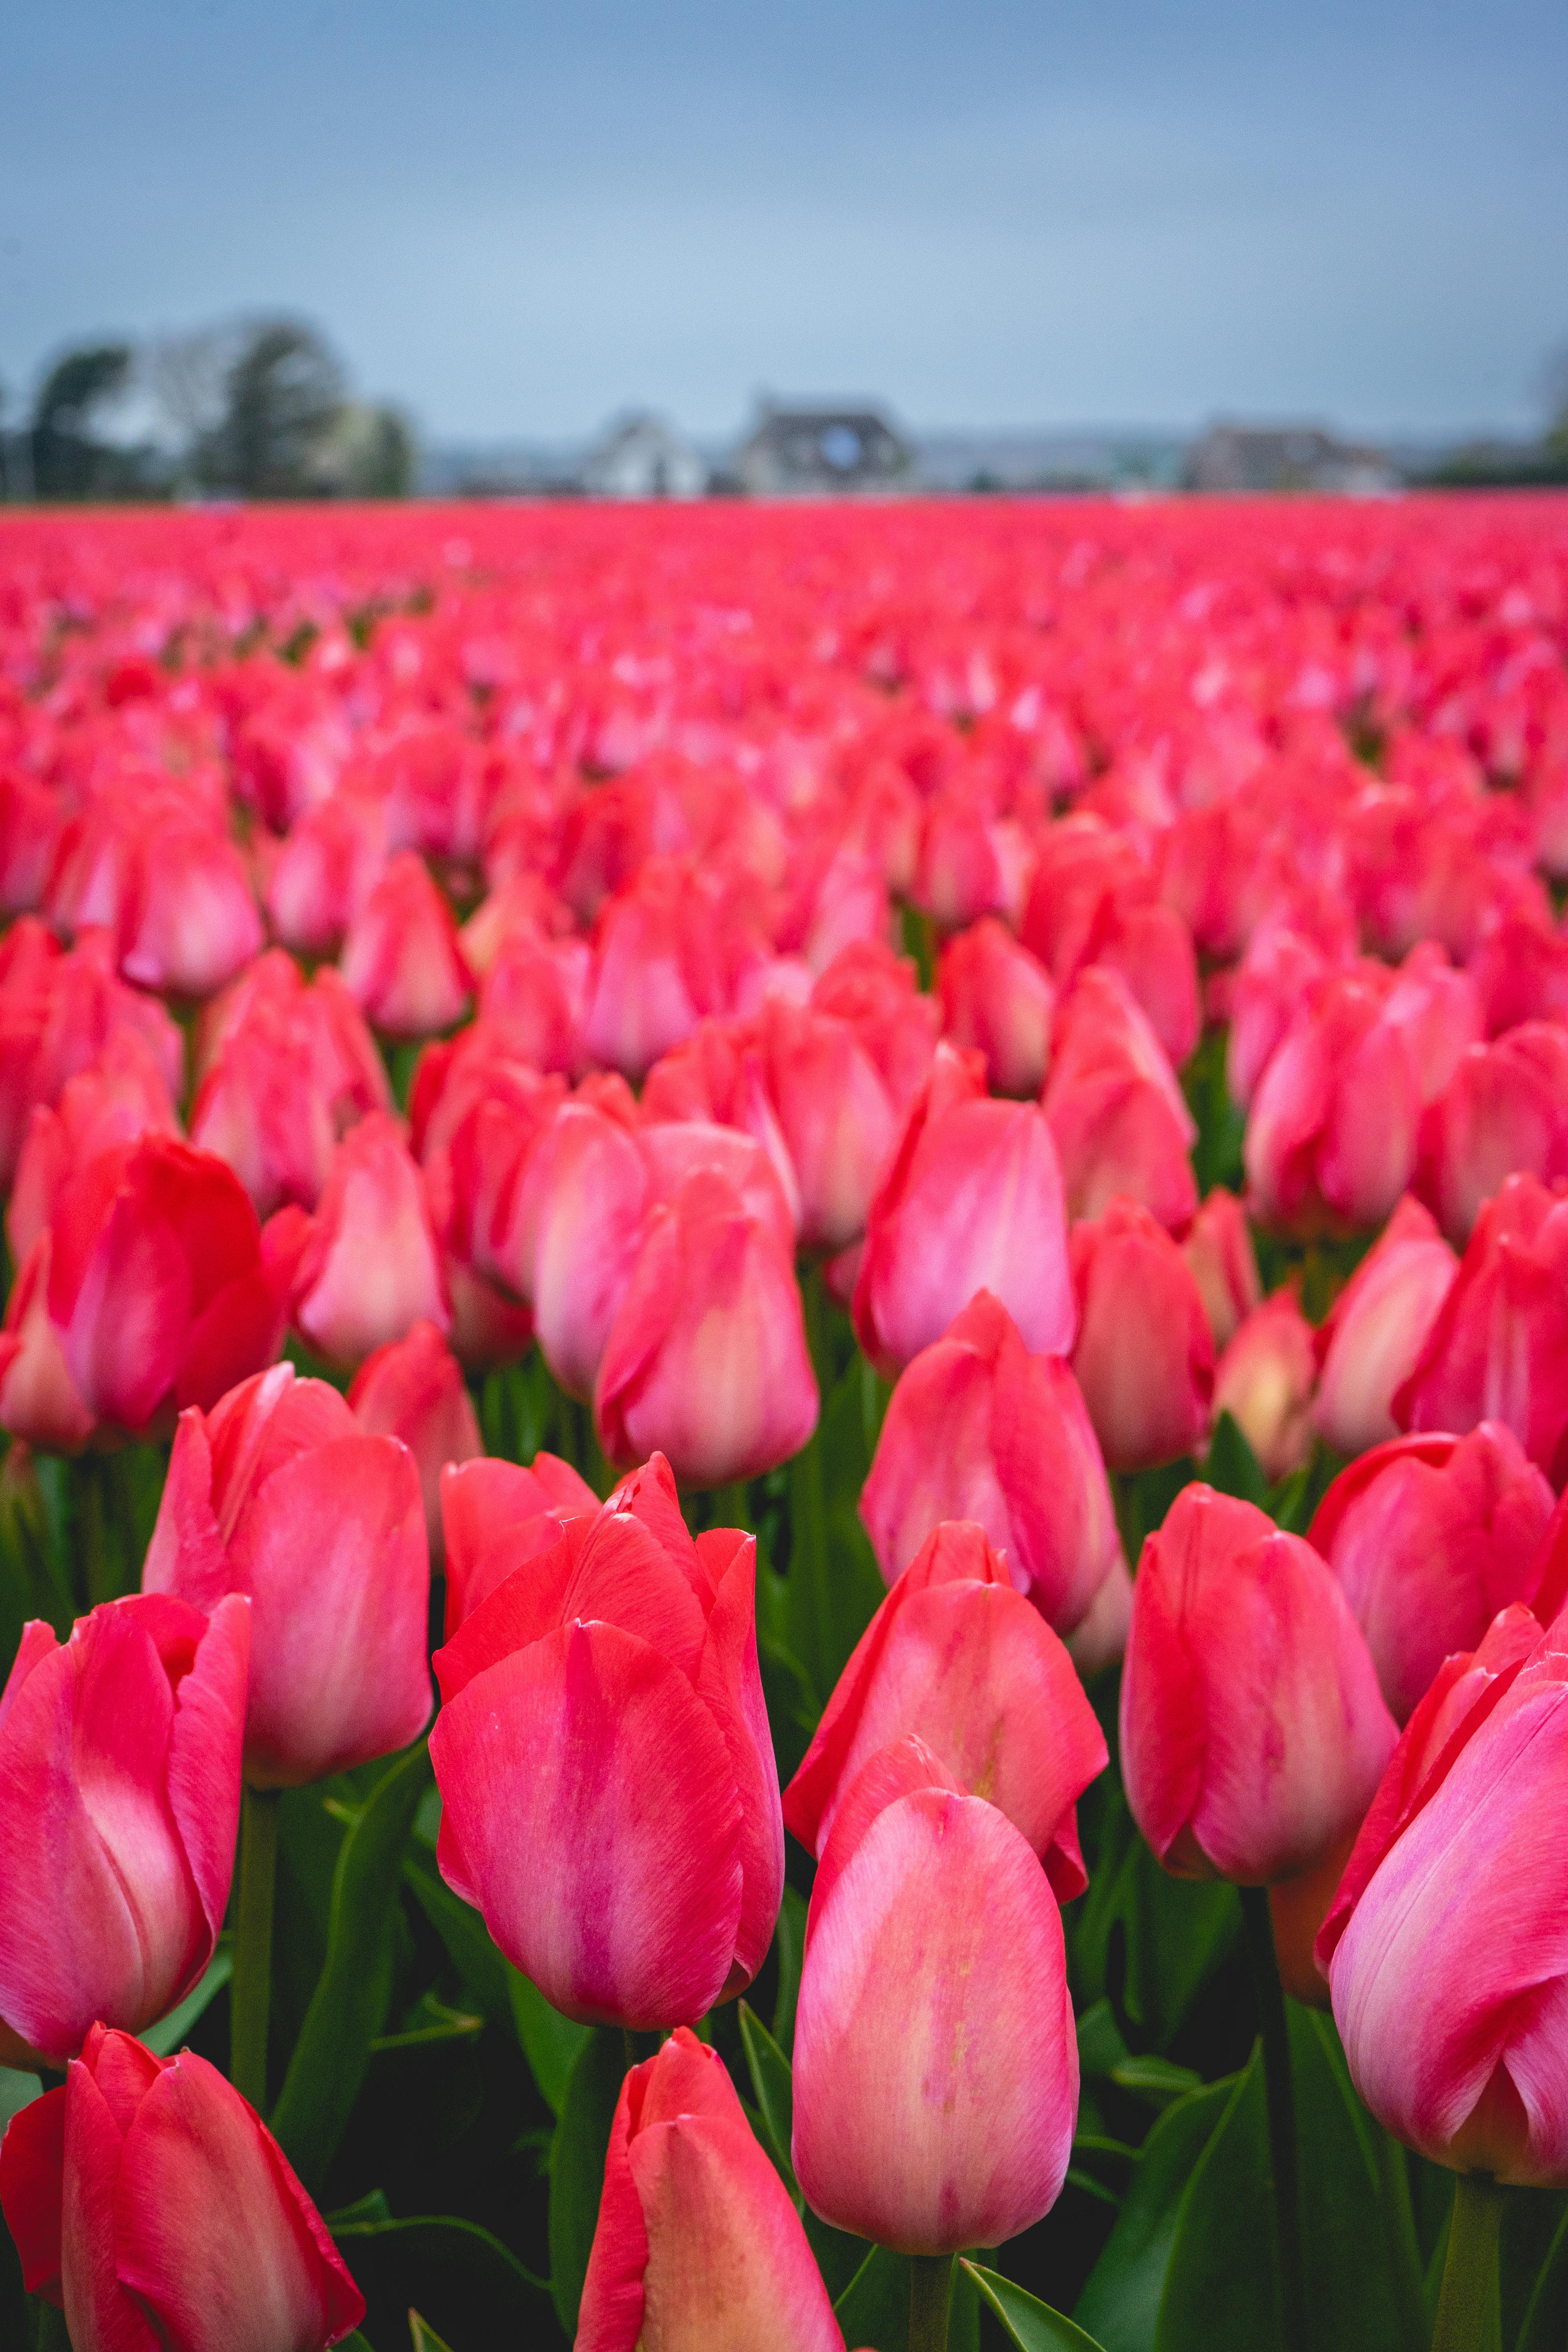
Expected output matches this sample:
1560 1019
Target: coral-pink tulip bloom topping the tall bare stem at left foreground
283 1497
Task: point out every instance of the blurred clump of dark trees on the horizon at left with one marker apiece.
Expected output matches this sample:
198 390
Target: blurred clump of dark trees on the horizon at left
255 410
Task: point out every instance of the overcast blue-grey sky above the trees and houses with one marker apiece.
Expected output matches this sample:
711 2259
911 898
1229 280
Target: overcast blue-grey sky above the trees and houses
518 220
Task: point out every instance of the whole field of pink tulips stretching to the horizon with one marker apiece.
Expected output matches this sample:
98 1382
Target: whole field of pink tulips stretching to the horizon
784 1398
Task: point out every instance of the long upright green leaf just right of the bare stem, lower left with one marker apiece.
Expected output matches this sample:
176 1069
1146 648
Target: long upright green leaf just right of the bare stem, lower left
349 2003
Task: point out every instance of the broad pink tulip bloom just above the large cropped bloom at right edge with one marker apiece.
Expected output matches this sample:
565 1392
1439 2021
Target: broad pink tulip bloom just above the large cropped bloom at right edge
1430 1537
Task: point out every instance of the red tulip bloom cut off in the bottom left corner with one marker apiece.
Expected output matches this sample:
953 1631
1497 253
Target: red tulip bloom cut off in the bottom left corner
154 2207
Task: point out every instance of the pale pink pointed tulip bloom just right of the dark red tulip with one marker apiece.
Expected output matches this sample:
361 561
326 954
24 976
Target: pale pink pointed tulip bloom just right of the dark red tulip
370 1267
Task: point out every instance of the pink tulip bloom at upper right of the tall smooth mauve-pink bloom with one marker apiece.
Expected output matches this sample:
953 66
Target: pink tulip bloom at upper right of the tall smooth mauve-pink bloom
1115 1111
